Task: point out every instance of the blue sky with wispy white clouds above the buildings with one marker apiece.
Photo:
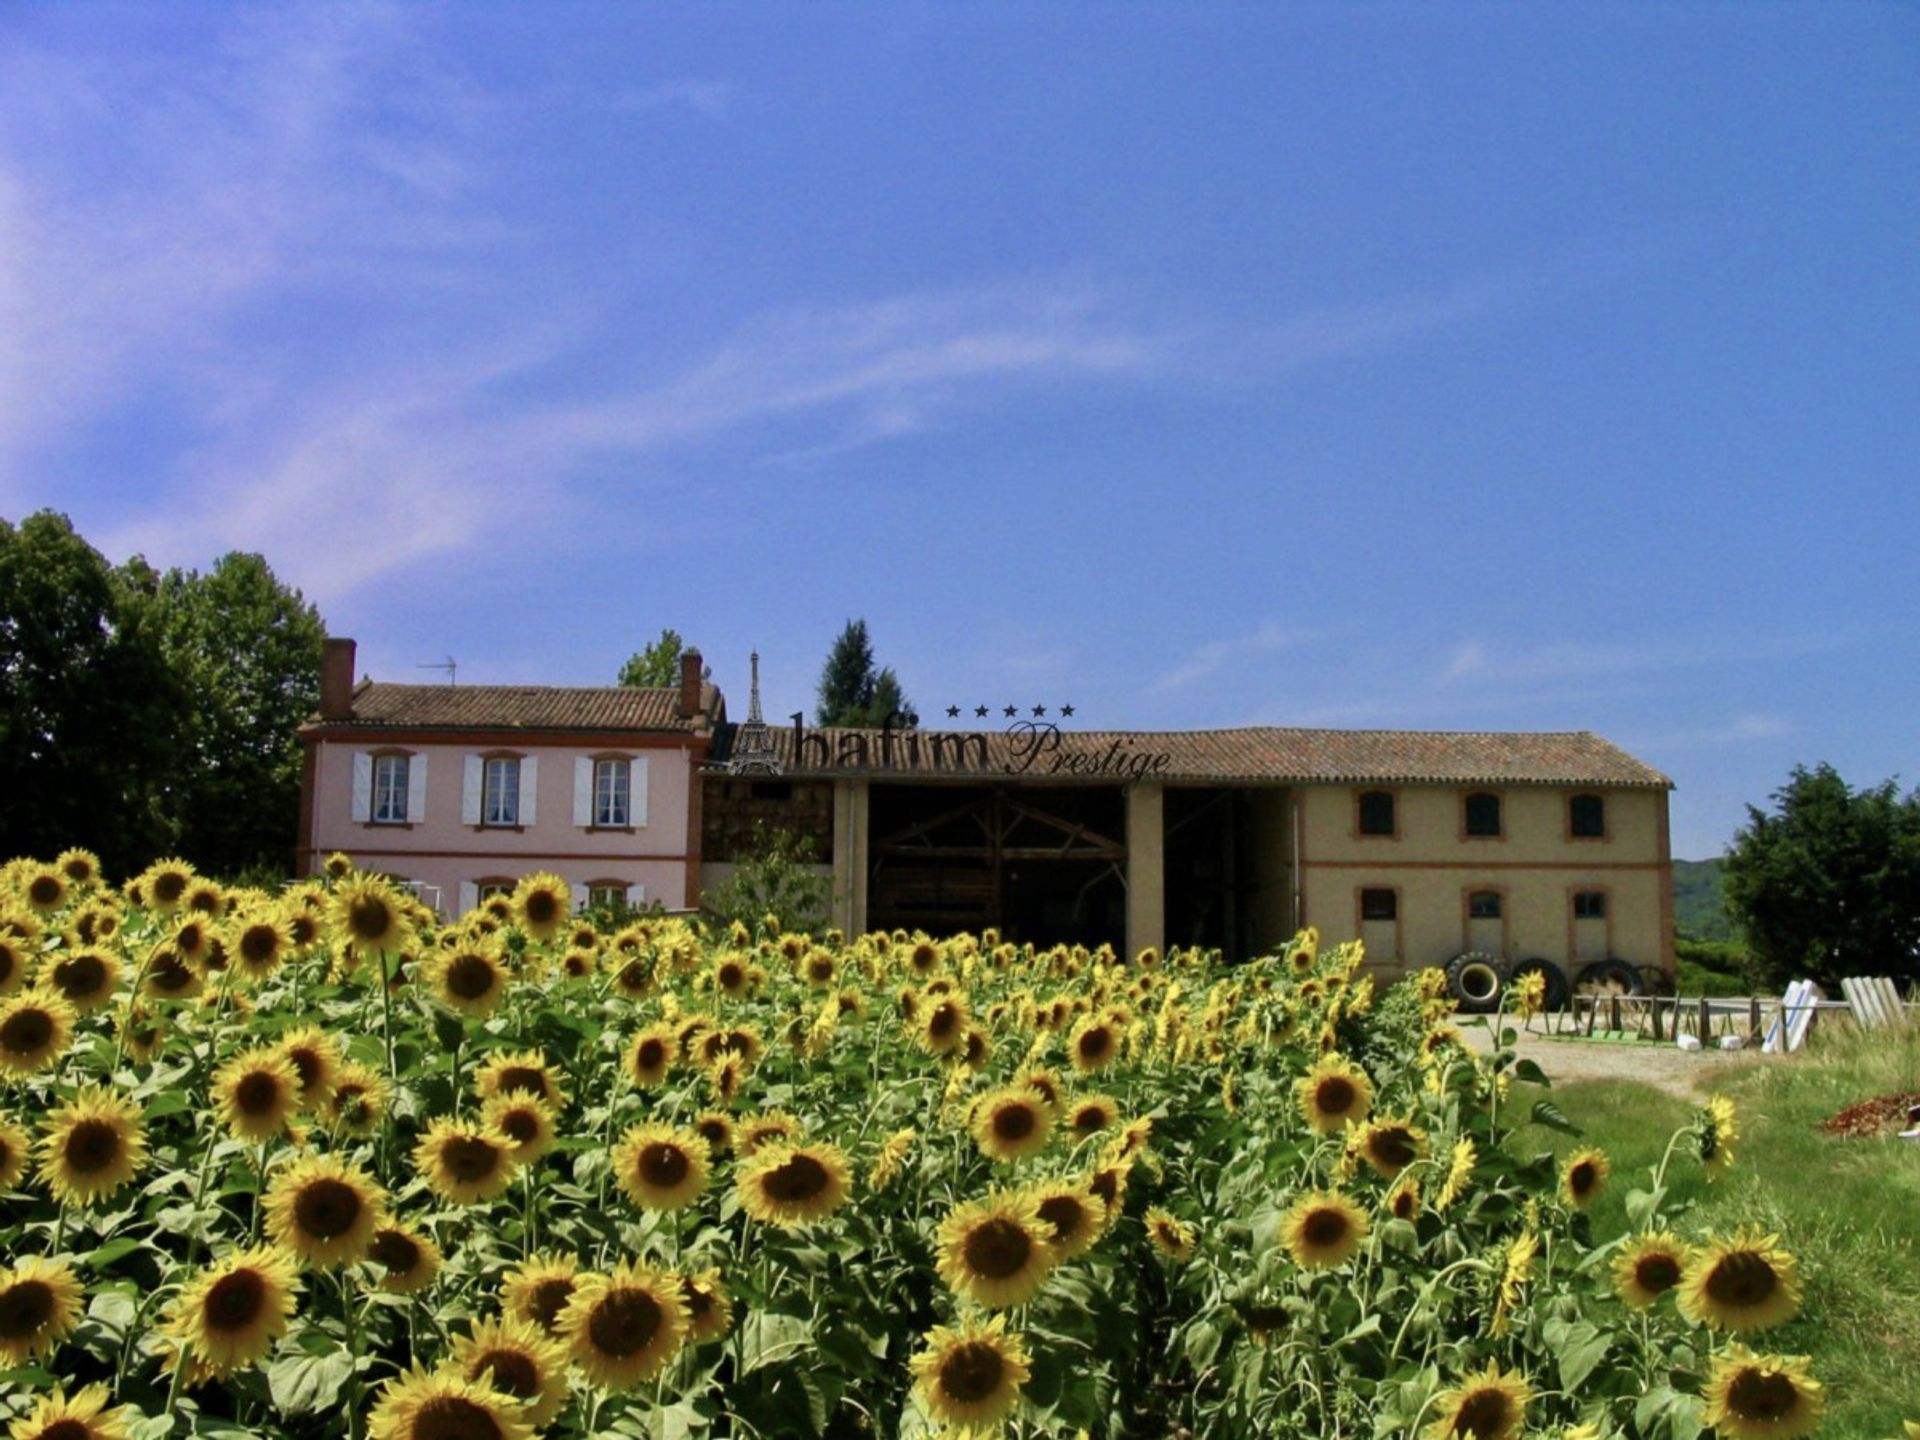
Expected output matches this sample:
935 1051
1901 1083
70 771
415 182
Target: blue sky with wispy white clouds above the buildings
1474 368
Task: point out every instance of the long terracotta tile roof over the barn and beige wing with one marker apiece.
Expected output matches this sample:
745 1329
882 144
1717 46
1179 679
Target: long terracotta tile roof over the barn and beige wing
1274 756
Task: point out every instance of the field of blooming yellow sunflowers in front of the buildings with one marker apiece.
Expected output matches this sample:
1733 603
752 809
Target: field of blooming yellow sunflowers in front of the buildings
318 1164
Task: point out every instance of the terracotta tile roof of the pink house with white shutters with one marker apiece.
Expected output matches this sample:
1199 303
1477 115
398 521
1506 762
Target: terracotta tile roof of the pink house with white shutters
514 708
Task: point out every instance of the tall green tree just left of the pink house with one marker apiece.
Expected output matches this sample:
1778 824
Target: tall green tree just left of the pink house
251 652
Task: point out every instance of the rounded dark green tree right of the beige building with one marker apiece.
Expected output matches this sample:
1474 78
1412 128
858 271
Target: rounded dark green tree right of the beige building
1829 882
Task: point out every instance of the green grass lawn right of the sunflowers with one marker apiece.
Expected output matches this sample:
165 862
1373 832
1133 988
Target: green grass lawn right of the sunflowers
1848 1209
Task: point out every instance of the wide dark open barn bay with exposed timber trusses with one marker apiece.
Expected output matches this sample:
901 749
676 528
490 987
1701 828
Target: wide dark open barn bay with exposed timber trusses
1044 865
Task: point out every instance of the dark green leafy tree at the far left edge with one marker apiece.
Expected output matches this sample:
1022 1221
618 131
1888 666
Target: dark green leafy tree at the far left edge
91 713
